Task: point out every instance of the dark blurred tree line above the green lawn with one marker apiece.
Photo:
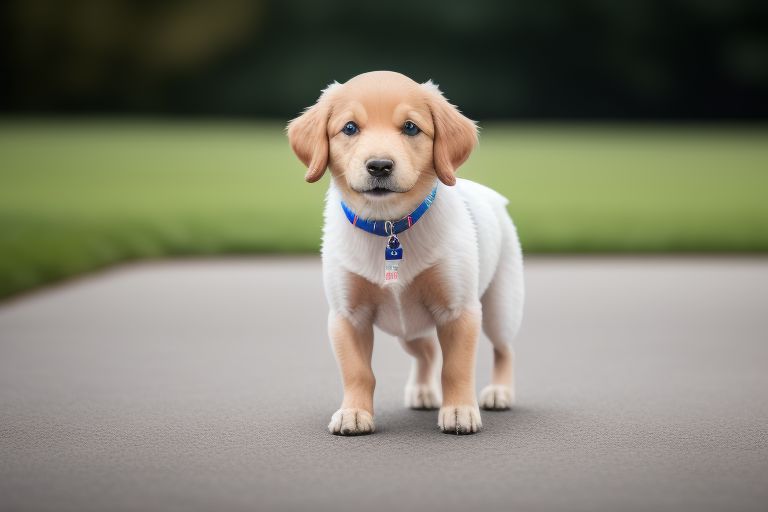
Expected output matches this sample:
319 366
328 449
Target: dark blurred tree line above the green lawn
689 59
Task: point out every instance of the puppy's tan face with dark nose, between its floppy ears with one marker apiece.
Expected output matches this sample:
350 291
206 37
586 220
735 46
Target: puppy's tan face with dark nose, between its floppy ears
381 143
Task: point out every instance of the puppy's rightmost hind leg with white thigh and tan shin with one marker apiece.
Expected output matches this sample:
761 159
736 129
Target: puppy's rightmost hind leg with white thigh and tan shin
502 314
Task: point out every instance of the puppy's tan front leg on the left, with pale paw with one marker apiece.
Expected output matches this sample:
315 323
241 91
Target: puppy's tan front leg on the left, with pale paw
353 346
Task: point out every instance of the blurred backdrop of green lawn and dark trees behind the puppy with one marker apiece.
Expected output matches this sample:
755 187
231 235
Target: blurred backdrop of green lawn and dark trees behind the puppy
142 129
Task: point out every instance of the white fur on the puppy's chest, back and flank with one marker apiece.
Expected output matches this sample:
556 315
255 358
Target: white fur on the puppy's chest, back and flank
467 230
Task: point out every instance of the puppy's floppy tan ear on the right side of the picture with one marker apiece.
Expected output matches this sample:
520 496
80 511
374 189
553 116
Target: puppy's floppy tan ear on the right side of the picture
455 135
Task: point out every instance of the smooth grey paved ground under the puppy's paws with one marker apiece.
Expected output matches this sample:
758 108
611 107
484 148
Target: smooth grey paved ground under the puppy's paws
208 385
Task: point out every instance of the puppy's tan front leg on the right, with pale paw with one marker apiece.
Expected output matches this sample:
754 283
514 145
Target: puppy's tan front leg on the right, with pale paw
458 339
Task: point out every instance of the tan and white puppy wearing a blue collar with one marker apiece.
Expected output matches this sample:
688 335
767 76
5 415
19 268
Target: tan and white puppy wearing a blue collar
409 248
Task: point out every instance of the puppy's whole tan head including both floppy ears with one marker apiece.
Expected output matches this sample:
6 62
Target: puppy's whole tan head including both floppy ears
385 138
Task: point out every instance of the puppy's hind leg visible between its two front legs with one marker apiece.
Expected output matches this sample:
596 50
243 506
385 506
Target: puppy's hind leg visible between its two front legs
421 391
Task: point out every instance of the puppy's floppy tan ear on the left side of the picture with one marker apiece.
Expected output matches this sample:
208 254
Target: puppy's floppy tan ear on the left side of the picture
308 135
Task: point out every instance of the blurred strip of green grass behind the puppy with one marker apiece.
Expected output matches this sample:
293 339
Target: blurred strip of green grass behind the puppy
75 196
